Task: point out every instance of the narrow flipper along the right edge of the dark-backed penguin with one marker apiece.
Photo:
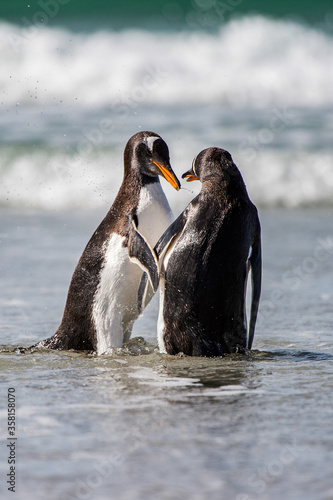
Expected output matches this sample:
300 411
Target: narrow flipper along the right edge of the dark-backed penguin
255 262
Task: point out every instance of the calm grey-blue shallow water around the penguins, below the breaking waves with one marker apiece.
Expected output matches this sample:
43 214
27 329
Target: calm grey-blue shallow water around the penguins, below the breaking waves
139 425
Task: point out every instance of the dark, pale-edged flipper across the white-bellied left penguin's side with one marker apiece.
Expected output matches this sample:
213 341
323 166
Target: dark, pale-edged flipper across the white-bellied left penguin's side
141 253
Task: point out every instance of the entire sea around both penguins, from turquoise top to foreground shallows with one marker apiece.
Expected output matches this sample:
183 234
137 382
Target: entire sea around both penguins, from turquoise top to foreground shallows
75 85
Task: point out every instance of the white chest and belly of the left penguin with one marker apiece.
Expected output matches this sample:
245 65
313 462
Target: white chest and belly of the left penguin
115 306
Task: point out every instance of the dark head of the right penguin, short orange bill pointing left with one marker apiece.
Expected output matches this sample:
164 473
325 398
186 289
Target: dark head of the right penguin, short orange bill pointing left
216 164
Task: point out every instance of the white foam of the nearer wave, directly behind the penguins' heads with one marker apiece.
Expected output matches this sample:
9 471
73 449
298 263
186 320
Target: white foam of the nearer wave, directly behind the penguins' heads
273 179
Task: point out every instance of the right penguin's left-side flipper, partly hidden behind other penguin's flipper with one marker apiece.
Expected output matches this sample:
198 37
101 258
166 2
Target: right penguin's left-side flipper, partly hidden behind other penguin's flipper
161 247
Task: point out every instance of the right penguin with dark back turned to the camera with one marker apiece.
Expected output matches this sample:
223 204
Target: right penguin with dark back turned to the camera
205 257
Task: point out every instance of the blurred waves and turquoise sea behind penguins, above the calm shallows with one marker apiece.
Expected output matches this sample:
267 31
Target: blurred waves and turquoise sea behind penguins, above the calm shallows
79 77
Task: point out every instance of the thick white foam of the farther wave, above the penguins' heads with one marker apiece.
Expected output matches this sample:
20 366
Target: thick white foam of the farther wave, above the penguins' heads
253 60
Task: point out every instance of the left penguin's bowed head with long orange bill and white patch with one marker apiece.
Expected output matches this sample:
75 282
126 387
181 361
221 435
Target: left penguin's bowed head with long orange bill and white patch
148 155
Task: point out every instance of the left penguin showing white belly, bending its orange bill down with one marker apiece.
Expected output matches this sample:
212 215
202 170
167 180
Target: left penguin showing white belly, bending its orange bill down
101 305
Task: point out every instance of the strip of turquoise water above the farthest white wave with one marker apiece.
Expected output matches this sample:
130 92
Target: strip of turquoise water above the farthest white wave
190 13
